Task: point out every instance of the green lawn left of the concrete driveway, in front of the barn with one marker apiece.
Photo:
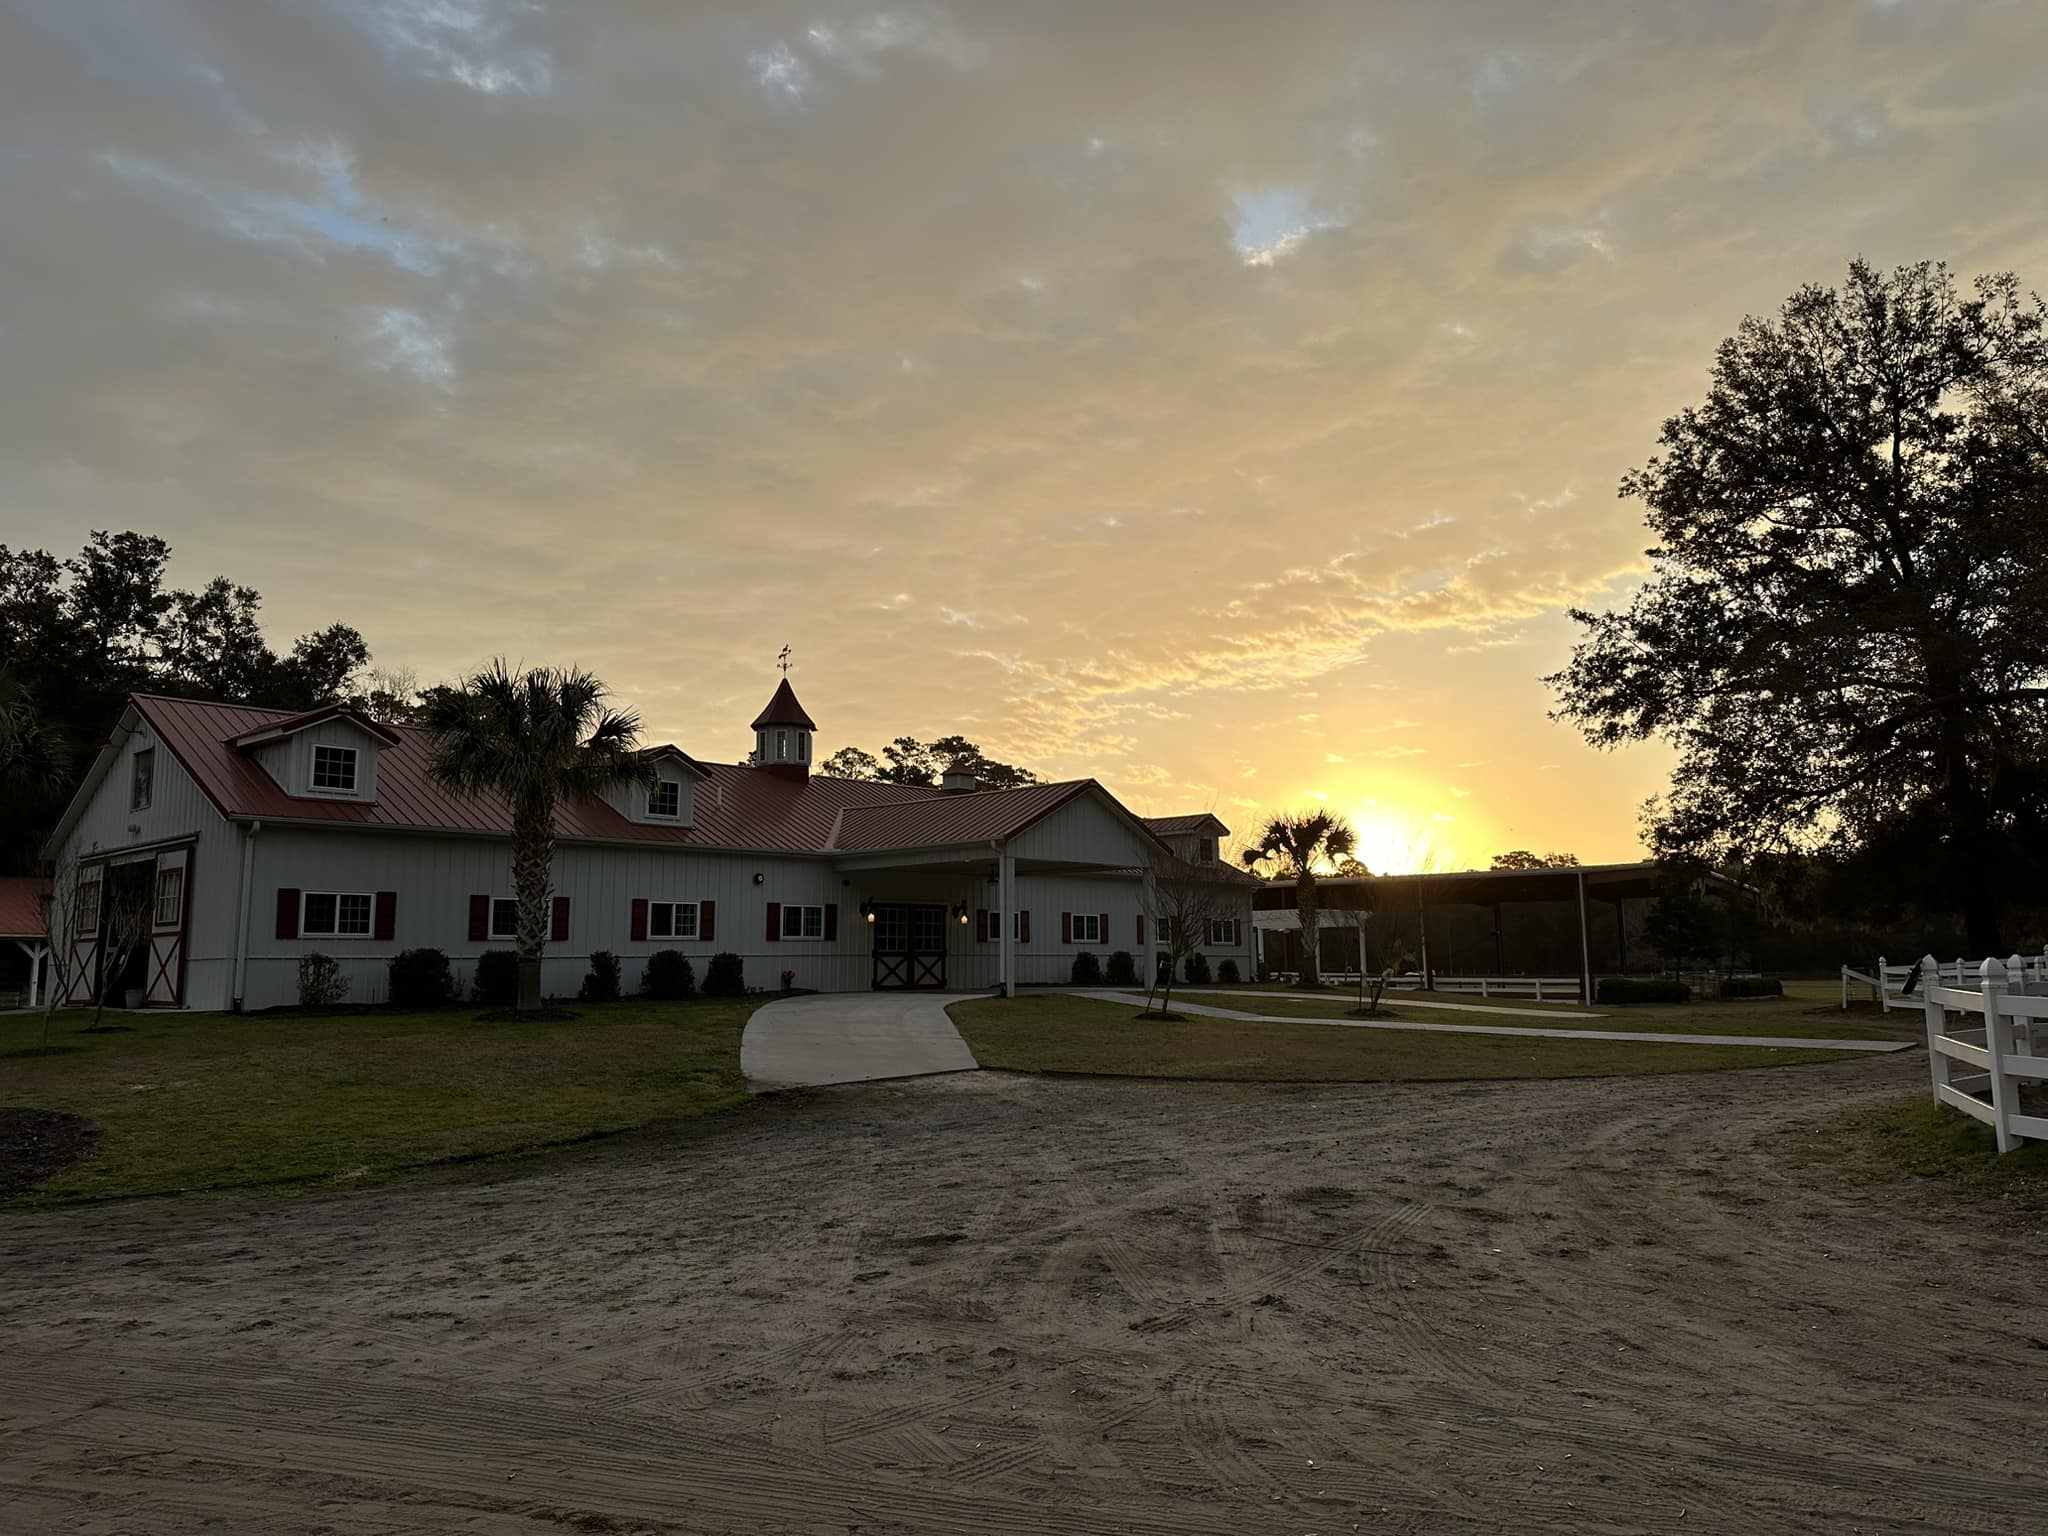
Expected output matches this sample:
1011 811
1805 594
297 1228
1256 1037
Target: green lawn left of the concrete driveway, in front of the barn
218 1101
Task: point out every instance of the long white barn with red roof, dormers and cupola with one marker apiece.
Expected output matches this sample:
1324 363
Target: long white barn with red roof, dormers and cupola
257 837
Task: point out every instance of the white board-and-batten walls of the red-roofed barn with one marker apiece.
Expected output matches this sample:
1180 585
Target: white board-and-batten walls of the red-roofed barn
431 882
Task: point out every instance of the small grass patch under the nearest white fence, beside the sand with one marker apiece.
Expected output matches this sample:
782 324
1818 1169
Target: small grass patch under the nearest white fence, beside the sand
1920 1140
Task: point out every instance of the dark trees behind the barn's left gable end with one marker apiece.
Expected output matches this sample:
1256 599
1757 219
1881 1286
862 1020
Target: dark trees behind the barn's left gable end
81 634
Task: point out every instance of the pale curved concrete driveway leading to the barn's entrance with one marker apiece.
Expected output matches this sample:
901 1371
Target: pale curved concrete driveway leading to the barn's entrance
851 1037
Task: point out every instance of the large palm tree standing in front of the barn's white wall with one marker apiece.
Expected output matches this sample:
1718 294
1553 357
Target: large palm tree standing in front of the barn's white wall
536 740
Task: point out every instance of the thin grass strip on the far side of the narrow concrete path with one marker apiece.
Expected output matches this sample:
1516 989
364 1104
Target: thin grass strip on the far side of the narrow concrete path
1789 1017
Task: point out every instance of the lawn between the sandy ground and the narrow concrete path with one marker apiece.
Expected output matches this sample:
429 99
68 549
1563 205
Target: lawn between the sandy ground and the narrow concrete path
1058 1033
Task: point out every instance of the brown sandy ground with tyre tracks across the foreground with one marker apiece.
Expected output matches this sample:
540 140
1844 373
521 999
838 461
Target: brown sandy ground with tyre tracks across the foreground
1015 1306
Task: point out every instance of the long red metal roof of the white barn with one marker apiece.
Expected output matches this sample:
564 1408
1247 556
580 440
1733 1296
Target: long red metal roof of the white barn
736 806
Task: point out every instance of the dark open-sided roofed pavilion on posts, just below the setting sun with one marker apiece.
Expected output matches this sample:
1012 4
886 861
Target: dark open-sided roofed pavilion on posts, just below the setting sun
1342 896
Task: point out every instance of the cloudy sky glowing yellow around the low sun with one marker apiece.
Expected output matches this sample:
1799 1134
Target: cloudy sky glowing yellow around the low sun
1220 400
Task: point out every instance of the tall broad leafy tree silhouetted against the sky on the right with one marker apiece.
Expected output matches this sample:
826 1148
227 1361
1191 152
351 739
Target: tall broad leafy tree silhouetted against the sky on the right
1846 624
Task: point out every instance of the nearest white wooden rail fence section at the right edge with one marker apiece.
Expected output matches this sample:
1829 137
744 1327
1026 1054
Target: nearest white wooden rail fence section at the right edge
1996 1041
